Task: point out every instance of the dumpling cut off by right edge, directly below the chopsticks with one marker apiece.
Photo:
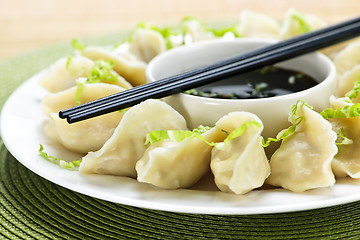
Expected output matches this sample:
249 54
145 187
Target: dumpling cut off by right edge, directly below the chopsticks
347 58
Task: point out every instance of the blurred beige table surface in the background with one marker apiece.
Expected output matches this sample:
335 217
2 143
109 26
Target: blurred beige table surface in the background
27 25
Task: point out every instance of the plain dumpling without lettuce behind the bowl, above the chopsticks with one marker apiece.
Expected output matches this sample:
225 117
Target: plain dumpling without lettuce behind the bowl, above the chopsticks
257 25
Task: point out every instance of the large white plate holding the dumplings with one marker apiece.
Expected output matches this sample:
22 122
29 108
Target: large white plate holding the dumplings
21 128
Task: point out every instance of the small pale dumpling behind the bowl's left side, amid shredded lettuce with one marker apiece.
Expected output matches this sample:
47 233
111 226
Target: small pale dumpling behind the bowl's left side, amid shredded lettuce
147 43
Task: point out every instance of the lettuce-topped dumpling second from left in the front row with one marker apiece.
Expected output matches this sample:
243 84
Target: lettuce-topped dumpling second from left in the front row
177 159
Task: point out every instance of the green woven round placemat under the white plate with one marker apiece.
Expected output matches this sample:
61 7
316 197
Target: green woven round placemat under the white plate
34 208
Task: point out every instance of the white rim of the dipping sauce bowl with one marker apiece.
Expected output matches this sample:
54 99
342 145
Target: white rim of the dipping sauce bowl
330 76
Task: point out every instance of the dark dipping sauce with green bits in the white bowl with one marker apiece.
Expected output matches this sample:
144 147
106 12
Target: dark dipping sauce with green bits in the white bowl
266 82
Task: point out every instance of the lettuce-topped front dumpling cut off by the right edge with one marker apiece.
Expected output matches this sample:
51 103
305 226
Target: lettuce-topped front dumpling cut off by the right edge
345 119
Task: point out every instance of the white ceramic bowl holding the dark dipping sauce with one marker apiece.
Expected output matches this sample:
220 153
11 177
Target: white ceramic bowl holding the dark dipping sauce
272 111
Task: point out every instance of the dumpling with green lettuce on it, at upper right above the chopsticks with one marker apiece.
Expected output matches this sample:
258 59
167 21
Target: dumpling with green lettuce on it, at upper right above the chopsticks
295 24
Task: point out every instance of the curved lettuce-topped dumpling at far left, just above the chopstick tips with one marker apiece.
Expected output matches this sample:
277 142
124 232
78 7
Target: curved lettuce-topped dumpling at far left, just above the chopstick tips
64 73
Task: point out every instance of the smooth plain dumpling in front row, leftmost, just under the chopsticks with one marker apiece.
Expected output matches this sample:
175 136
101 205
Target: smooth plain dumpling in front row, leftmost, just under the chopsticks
126 146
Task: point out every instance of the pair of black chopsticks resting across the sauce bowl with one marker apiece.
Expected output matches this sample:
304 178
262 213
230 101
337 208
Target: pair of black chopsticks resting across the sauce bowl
248 61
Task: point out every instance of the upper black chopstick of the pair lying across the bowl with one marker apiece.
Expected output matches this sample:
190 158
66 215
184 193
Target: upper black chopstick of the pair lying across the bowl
242 57
